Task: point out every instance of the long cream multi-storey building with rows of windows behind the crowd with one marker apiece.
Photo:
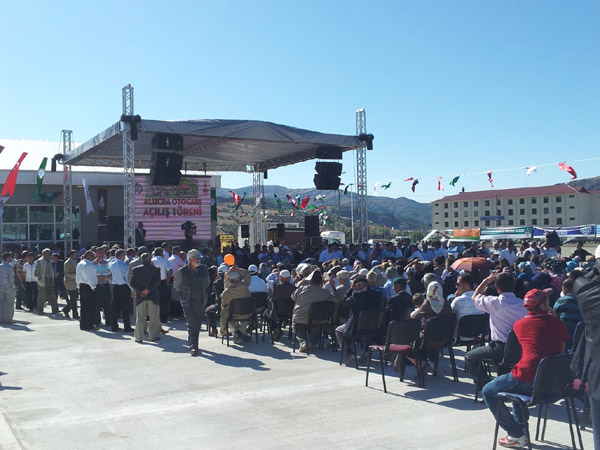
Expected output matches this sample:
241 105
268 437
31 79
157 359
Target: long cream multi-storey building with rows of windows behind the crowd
545 206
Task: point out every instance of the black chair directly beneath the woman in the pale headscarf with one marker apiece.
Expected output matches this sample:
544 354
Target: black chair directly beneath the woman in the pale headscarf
438 333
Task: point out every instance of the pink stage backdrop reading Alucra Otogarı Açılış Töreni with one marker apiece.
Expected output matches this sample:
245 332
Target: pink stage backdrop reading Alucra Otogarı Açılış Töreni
165 209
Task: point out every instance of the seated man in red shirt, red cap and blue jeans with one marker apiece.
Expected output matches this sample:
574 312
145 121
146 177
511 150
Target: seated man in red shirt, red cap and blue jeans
540 335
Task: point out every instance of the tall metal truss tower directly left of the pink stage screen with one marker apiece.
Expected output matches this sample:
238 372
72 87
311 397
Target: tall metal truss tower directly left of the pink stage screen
128 169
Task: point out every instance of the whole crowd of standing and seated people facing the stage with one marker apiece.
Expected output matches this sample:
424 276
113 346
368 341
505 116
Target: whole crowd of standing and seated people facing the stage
532 290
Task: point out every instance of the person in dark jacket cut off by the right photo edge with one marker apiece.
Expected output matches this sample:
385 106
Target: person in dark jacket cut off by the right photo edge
586 361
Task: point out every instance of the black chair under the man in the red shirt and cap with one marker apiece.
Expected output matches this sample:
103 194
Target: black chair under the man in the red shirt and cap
553 379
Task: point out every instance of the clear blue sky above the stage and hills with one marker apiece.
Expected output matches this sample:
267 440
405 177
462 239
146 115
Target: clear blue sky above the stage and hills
449 87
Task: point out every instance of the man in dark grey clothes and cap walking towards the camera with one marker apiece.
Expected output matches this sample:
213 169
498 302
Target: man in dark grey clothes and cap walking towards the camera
192 283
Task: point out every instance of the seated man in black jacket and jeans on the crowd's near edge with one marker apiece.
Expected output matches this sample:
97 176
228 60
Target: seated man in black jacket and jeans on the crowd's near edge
359 298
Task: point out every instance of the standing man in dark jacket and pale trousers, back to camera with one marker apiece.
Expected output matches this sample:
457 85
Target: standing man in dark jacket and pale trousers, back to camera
145 280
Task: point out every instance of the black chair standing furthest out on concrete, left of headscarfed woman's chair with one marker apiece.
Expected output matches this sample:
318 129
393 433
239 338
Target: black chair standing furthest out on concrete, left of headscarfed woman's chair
401 338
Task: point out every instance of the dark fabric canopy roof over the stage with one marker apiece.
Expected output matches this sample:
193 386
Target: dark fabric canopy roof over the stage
213 145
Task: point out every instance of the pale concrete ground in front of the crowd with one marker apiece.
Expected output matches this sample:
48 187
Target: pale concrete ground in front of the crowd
61 388
